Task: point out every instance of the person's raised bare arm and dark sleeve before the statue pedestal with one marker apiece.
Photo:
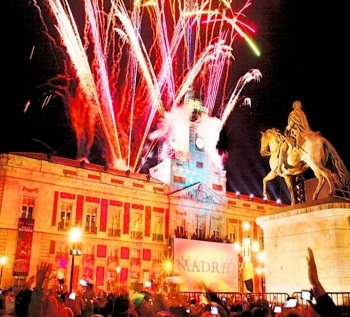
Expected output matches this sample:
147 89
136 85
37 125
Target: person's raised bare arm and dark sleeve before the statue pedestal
324 303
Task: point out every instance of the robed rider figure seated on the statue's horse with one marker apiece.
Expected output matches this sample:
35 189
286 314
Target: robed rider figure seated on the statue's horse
297 126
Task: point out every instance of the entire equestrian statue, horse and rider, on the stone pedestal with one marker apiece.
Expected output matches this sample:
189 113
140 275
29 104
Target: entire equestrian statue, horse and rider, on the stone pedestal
291 153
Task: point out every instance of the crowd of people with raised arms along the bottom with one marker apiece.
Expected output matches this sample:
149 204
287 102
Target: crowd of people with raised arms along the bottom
53 300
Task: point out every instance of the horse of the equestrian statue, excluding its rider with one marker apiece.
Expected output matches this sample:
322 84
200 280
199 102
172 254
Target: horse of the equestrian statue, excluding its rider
313 152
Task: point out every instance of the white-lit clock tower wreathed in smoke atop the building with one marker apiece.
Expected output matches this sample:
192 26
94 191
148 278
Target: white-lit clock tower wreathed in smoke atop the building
195 164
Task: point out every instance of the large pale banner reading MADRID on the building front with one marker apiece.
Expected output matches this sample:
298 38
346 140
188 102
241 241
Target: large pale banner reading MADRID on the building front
204 266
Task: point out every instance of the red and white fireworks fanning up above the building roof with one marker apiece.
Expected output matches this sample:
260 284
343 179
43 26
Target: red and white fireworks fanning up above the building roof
147 74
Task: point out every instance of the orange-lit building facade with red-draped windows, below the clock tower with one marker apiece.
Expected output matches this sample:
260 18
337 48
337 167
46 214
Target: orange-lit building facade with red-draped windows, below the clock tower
128 220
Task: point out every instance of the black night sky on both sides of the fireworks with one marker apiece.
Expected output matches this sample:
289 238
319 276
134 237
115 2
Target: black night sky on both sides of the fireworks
303 57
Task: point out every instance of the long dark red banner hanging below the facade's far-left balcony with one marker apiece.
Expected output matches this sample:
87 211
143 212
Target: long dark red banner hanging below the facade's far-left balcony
24 247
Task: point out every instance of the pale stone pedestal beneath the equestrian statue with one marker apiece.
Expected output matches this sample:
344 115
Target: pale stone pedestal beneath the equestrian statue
322 225
